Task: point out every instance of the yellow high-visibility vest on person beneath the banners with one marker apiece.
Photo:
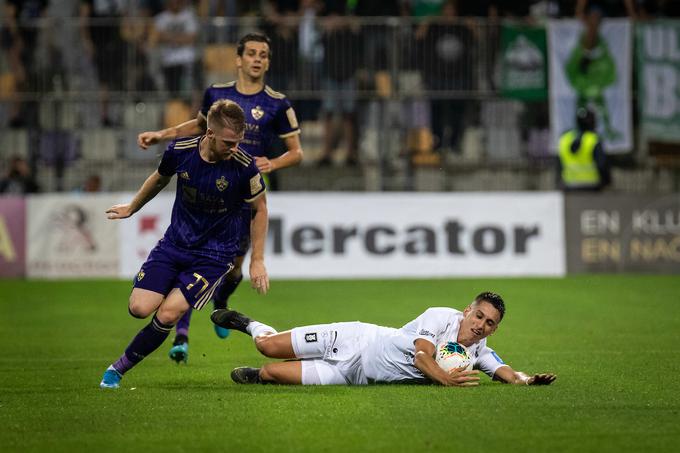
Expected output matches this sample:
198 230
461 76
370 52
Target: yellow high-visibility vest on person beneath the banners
579 168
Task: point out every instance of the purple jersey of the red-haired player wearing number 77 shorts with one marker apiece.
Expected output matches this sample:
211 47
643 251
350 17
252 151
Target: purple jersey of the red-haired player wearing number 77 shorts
206 216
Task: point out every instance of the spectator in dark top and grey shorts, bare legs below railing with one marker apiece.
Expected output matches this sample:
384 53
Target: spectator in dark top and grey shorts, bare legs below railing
342 54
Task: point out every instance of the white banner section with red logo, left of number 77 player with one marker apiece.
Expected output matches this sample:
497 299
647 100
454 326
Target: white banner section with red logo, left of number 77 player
140 233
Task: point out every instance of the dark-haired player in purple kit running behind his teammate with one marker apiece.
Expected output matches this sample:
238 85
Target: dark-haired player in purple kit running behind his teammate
267 113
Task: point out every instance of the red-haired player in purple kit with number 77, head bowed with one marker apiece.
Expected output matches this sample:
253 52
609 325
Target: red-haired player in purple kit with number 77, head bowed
215 178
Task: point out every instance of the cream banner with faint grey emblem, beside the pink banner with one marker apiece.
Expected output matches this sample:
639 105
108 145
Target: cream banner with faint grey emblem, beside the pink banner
70 236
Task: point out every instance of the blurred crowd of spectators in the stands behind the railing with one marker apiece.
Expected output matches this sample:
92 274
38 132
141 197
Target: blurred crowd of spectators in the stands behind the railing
328 52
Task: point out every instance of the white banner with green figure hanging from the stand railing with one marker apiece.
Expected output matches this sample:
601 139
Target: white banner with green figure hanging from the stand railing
599 78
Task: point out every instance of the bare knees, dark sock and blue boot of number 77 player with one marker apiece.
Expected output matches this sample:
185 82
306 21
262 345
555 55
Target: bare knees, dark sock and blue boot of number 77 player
150 337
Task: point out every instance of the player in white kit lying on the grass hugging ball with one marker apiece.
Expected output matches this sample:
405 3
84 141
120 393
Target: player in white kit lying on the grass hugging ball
360 353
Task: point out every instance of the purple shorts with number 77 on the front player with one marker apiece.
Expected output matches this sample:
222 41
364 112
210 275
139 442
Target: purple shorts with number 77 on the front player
196 276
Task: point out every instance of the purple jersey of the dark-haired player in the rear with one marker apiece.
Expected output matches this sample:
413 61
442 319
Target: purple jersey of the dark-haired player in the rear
267 113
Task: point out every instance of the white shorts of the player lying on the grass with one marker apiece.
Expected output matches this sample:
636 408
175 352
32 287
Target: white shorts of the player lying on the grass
331 353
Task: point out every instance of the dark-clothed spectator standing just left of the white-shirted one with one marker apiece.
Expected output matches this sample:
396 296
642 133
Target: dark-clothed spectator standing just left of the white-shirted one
100 33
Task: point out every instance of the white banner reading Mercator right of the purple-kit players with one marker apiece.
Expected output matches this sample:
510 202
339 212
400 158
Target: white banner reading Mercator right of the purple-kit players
331 235
